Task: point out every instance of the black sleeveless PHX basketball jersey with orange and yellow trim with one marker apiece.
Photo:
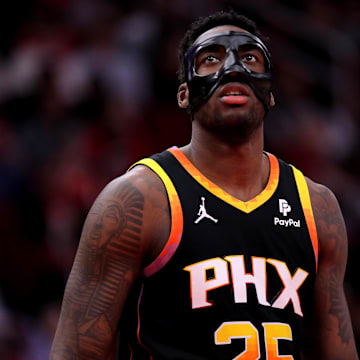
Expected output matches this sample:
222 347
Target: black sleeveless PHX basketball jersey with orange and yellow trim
235 278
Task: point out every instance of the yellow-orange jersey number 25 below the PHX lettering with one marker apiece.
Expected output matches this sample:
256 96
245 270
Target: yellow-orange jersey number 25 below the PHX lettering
246 330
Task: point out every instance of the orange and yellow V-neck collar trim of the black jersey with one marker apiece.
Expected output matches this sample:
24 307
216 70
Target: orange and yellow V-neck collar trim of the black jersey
245 206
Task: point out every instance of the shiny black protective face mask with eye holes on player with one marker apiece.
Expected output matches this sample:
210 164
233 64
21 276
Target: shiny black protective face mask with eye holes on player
233 69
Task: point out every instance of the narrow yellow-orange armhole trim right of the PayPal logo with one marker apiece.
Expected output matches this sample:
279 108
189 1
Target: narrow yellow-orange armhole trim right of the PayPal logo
307 209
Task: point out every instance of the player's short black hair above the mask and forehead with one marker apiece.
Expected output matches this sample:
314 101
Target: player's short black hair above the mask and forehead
204 23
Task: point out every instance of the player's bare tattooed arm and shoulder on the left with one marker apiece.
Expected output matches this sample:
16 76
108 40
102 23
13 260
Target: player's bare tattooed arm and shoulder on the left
115 240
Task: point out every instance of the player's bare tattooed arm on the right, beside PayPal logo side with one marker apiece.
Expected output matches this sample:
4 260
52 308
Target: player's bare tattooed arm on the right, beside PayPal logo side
332 335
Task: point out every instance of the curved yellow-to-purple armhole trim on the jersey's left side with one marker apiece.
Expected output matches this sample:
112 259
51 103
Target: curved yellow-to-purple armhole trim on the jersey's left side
176 222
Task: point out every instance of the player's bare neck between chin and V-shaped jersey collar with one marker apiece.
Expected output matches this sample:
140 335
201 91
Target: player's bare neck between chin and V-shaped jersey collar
240 168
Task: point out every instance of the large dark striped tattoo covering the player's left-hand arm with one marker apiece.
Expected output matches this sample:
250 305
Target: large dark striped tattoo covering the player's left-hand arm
102 270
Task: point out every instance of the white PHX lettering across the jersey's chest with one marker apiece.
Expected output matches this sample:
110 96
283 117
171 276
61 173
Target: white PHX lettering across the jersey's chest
201 283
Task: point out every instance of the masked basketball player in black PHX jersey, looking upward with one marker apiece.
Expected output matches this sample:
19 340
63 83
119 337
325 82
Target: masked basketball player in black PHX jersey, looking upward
216 250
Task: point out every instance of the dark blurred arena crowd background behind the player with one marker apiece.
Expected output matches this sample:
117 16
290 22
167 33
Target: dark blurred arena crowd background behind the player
89 86
